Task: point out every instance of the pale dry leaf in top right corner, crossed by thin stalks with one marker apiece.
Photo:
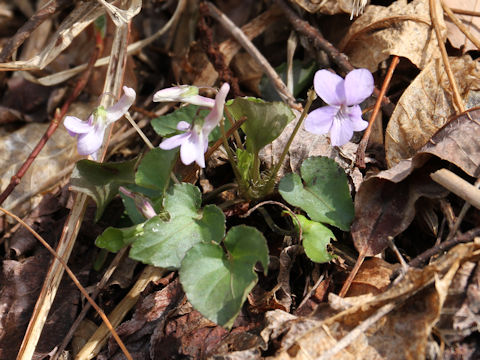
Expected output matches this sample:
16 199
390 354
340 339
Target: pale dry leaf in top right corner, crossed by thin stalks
457 38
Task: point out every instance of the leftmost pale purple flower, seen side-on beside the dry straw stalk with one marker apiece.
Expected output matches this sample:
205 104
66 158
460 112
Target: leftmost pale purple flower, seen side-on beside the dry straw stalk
91 132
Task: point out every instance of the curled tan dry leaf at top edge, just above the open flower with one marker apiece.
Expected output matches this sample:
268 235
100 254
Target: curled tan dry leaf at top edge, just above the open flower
401 29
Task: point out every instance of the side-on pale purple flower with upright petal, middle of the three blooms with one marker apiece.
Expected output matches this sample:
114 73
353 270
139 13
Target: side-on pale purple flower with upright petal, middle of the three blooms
194 141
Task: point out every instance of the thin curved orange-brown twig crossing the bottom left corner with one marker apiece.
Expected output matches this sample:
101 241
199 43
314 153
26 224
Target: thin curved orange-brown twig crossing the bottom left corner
75 281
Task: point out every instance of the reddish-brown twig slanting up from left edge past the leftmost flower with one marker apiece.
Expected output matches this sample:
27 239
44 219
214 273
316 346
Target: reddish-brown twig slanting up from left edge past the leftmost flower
59 114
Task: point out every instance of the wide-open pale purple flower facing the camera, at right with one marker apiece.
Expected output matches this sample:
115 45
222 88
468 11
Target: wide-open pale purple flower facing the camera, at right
343 115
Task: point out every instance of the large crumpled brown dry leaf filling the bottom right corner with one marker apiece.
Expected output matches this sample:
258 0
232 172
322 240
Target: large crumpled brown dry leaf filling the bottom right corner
401 334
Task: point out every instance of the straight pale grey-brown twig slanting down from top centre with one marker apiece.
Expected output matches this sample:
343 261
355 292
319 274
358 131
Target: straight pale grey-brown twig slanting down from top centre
238 34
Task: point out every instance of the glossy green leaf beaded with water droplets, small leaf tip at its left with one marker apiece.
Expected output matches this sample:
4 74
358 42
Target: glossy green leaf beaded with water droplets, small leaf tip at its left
164 243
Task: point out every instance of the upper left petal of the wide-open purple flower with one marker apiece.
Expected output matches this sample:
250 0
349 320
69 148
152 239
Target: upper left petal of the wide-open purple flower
329 87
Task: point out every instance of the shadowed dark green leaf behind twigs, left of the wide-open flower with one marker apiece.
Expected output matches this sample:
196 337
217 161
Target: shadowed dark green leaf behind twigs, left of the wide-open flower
302 78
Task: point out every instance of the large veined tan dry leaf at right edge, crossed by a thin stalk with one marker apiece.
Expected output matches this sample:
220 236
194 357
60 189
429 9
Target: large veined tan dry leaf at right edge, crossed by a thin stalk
426 105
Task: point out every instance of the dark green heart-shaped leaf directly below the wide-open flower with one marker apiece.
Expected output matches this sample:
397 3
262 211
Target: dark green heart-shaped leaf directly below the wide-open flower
325 196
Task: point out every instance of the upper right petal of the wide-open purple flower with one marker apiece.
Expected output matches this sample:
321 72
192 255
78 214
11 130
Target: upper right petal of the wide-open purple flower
358 86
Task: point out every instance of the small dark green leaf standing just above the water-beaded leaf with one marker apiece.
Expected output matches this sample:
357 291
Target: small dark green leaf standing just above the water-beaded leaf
154 169
